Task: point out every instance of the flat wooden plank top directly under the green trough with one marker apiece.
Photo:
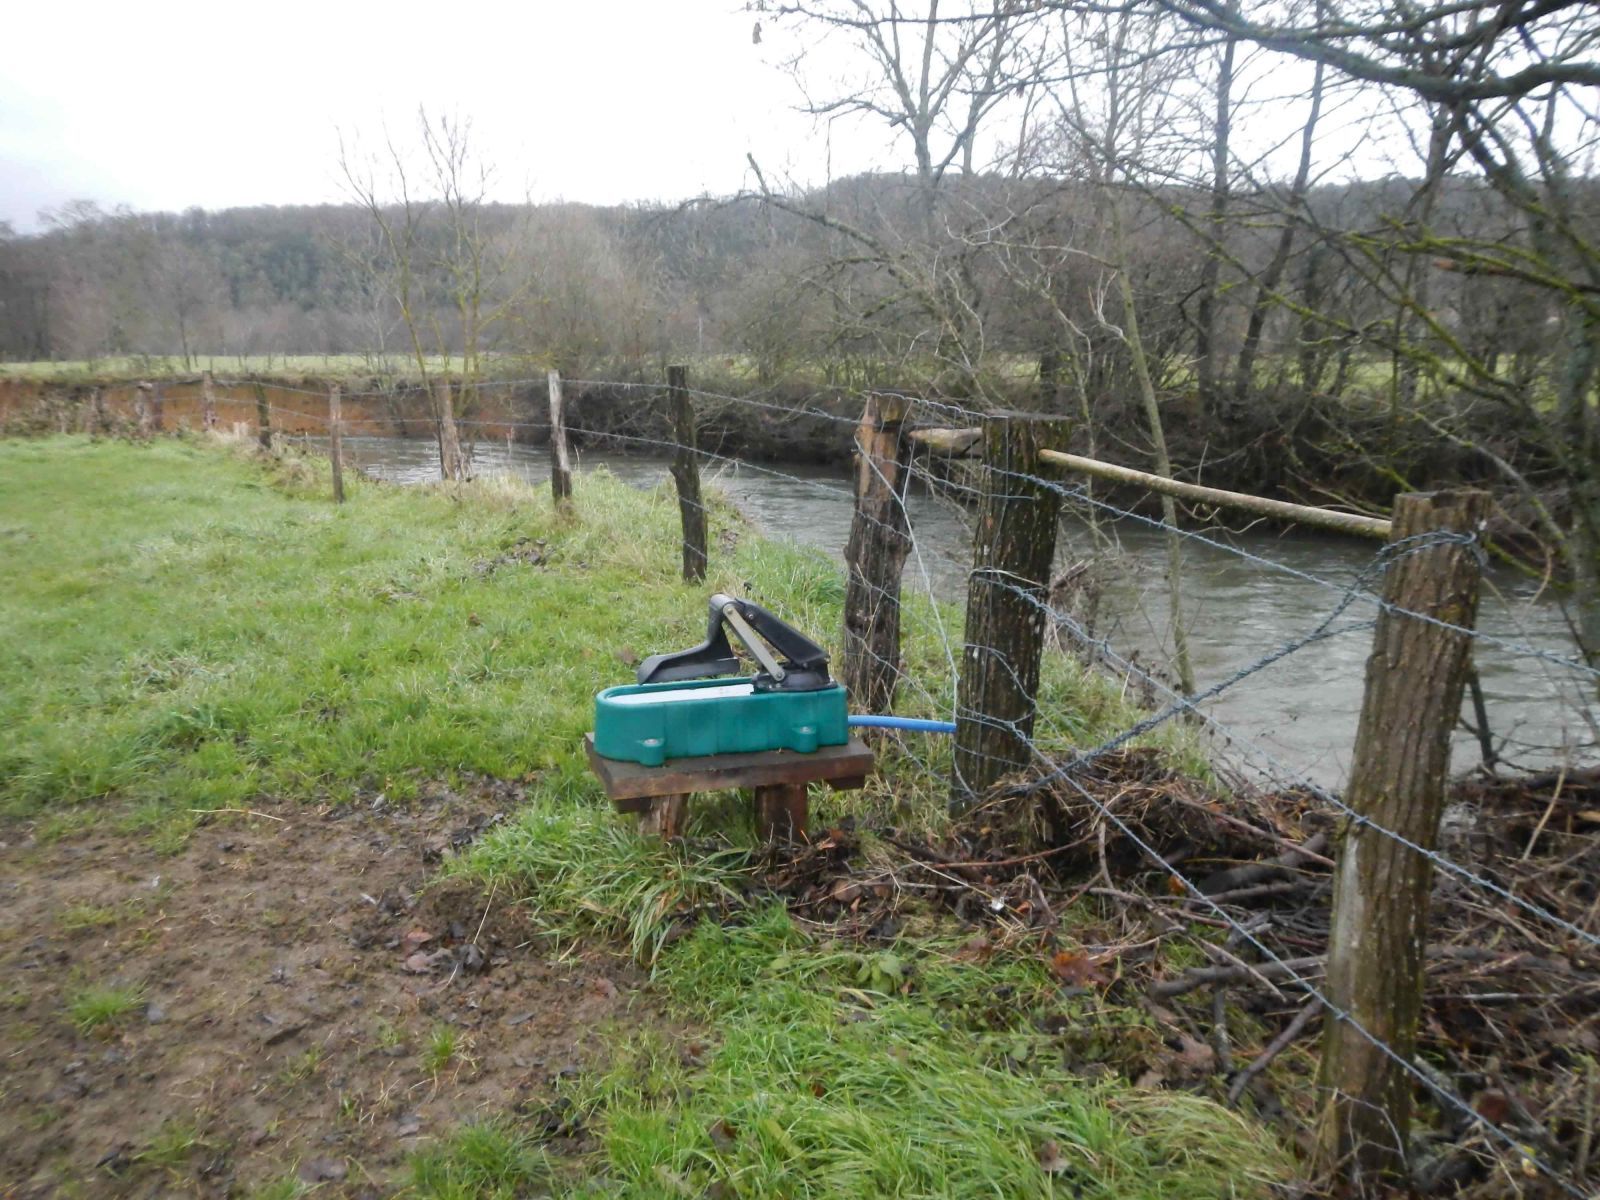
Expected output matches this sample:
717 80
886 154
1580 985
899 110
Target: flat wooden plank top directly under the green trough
844 767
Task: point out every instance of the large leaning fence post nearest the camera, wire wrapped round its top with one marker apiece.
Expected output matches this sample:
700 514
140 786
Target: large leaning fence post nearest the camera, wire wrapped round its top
1378 935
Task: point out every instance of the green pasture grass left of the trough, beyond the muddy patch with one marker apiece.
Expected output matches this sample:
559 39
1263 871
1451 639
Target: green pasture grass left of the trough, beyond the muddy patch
186 631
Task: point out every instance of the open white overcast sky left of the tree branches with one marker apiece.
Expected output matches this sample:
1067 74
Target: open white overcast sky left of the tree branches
174 105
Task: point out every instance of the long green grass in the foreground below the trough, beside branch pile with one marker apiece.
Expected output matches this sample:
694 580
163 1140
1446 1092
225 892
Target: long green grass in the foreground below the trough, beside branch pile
895 1074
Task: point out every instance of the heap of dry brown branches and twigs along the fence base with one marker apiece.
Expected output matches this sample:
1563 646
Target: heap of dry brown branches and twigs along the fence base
1215 926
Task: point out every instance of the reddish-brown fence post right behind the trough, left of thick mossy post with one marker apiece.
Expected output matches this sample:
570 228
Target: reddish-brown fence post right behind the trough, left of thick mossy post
876 554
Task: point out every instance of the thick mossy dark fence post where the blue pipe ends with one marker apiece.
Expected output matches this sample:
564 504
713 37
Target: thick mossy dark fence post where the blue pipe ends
1015 546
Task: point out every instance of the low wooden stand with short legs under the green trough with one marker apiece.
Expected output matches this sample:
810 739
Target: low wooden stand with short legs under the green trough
778 780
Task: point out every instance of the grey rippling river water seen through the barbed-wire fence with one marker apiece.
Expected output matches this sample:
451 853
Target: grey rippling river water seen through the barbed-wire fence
1300 713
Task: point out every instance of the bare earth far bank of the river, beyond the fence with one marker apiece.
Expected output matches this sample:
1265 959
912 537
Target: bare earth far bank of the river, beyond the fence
1316 450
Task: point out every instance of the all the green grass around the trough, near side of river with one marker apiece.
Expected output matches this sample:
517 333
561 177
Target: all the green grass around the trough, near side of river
188 628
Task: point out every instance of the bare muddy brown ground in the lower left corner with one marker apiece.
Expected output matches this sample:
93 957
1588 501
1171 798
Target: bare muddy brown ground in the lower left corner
284 1014
